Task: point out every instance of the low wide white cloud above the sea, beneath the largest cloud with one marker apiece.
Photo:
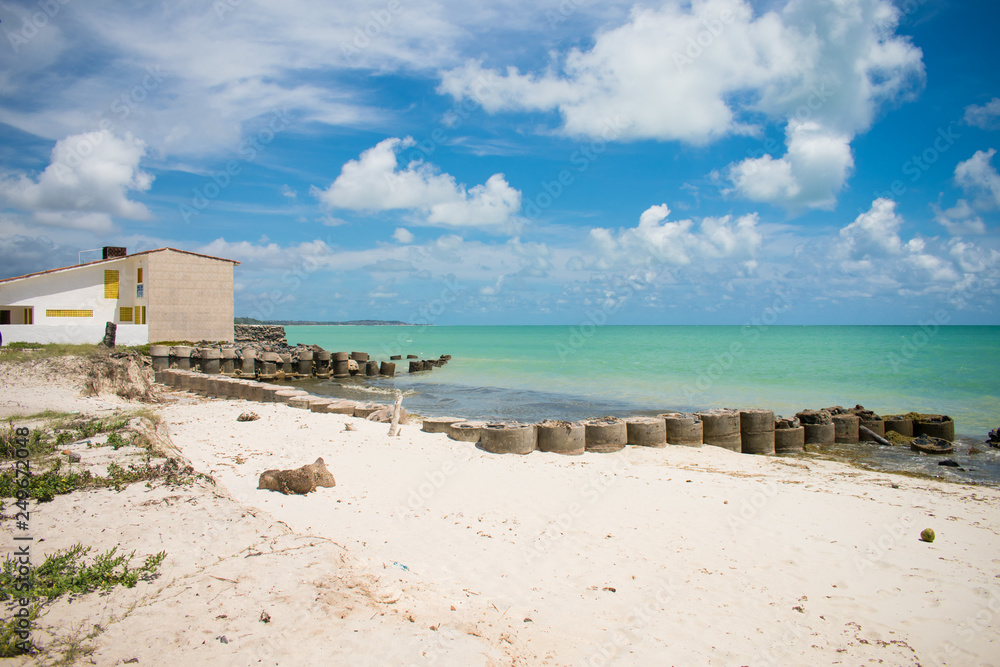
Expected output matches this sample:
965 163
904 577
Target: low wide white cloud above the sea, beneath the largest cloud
677 243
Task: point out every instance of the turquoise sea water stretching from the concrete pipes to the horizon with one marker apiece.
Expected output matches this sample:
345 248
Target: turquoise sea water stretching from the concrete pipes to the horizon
537 372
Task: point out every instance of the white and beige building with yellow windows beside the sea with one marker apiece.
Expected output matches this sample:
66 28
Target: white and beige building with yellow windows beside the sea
152 296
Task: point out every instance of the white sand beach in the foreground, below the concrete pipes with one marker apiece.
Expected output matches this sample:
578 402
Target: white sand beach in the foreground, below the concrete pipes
432 552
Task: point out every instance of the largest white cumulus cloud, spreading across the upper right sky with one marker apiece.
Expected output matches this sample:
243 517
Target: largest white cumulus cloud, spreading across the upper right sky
698 72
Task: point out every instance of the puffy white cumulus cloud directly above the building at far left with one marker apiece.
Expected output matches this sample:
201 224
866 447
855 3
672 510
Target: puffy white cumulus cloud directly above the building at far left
87 182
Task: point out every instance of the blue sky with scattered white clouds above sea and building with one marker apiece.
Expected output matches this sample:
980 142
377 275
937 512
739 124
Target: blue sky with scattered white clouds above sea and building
714 162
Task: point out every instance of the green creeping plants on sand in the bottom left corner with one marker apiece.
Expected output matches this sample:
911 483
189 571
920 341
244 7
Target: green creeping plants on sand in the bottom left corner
65 572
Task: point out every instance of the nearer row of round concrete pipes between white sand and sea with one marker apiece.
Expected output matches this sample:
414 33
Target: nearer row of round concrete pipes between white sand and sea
747 431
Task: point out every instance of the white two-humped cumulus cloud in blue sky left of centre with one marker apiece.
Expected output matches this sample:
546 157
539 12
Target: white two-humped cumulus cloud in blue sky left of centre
376 182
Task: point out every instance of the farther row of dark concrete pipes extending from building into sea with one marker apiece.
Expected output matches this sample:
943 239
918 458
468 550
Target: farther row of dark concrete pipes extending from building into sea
301 362
